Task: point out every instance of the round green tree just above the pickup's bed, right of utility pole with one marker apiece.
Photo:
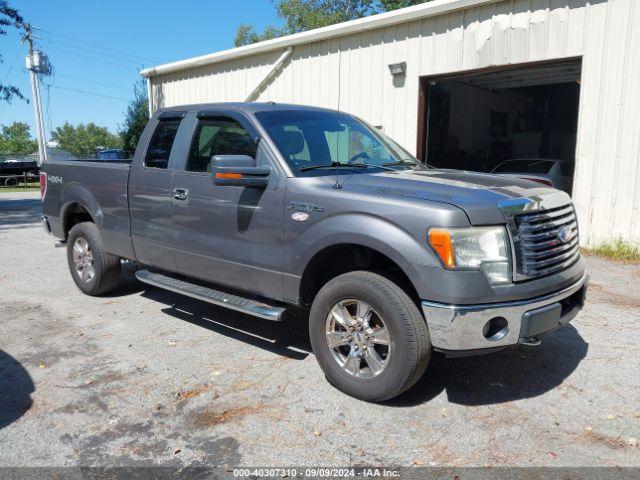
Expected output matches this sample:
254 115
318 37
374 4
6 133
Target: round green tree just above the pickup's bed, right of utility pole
84 140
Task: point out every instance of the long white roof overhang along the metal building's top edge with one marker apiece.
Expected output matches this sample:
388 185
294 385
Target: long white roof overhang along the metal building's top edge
416 12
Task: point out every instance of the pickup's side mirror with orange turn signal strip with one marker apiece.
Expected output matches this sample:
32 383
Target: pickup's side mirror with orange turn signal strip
239 171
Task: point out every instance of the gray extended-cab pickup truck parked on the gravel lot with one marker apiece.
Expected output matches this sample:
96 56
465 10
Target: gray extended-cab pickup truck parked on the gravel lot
266 208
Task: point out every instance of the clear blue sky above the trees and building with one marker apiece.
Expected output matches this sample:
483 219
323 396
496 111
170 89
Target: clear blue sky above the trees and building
97 48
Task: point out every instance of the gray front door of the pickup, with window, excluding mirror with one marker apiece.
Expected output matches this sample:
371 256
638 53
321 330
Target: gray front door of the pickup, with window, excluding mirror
227 234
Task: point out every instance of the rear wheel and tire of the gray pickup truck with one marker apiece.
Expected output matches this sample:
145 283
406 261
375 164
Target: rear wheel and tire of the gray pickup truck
105 266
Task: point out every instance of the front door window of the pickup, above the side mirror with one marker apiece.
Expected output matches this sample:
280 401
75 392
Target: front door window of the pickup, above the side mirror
218 136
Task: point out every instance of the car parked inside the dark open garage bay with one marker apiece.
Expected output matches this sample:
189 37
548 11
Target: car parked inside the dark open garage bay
557 173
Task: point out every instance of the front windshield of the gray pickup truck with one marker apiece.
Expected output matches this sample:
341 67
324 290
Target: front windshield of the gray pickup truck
312 140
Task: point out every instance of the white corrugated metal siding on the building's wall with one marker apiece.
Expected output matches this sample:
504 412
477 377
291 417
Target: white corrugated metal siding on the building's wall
606 34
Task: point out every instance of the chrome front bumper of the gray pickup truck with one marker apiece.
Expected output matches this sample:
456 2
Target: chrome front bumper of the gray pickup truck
455 328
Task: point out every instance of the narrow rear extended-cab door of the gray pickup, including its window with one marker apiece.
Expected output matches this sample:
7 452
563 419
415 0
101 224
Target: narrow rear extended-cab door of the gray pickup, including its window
150 193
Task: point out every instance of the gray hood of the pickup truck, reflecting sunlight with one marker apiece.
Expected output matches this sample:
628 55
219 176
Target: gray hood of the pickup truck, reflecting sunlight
478 194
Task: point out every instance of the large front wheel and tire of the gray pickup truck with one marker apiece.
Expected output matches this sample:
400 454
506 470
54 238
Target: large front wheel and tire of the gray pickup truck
409 346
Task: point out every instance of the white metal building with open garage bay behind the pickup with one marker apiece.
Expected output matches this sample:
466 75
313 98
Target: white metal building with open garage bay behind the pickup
464 84
